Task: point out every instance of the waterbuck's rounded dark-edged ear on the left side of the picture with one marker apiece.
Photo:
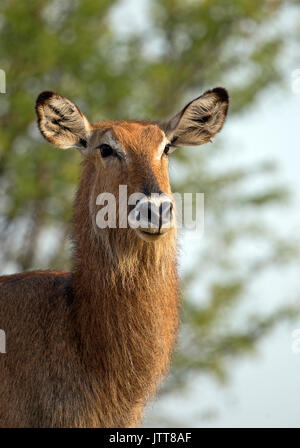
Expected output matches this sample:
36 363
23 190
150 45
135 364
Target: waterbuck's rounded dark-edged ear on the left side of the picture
61 122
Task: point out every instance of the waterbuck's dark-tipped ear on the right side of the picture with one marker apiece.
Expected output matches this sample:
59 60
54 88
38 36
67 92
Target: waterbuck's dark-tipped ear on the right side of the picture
200 120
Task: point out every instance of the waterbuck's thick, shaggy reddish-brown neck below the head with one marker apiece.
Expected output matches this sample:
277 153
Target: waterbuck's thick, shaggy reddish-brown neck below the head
126 294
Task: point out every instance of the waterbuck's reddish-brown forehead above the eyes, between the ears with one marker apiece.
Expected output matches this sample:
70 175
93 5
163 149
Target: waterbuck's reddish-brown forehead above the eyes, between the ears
132 135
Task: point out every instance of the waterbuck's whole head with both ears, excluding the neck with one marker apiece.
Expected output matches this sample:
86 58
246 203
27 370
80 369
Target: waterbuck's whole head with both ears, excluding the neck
134 153
